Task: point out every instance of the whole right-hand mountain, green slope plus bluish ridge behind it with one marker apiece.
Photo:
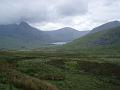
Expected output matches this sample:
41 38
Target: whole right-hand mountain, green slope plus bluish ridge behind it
102 39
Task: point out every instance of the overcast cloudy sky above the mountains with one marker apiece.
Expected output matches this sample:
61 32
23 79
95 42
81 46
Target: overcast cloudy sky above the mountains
54 14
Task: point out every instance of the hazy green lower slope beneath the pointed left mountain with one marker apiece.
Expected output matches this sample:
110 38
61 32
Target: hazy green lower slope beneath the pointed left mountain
8 43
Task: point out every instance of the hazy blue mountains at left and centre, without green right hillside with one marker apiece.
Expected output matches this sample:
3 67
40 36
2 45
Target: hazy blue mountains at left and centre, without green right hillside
24 36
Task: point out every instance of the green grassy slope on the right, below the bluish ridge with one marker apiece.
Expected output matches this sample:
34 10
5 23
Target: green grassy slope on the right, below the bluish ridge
107 41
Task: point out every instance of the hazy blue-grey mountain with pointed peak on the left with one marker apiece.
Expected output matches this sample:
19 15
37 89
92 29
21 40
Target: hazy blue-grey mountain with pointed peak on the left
15 36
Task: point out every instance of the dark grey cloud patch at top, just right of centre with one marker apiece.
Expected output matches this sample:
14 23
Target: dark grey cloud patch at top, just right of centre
73 8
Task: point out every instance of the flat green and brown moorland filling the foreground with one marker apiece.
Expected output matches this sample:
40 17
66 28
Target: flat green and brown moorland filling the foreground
38 70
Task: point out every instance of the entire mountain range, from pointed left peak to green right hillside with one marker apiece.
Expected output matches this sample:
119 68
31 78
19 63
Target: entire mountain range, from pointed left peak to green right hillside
22 36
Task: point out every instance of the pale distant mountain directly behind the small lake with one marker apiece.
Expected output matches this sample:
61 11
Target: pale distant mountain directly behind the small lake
66 34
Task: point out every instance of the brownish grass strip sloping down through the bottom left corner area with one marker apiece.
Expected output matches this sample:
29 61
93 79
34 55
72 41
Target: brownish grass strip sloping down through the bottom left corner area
23 81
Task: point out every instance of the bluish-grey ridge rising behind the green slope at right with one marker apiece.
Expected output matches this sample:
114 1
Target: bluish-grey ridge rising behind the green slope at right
106 26
